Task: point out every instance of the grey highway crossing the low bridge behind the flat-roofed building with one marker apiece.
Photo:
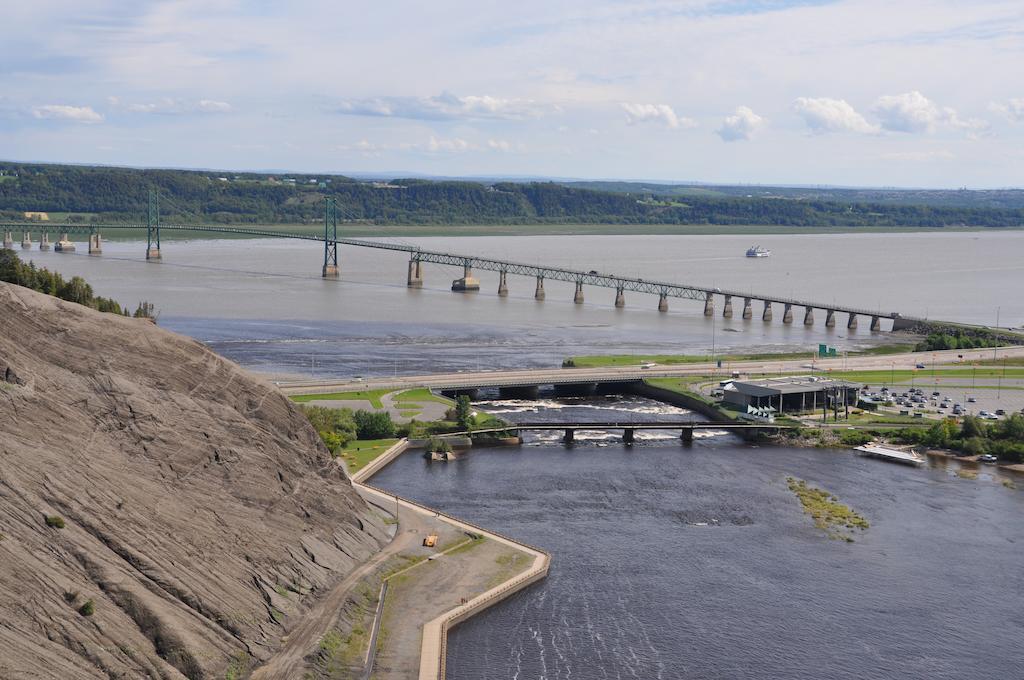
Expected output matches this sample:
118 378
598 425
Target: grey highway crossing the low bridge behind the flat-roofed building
626 374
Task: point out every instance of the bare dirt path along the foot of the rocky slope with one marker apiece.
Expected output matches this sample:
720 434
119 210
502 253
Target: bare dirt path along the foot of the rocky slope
289 662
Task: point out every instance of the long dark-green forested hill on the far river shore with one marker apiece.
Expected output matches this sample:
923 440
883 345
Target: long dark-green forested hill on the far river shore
103 194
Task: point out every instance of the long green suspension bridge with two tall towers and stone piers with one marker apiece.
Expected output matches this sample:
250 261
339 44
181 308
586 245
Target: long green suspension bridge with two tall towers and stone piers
468 264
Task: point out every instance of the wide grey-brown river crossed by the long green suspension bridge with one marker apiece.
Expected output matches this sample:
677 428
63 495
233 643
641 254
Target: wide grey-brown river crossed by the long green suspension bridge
263 303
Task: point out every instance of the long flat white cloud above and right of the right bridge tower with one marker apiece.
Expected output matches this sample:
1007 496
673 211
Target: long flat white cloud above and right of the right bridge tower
447 107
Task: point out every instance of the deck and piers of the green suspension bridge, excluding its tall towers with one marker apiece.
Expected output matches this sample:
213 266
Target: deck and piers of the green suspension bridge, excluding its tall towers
418 257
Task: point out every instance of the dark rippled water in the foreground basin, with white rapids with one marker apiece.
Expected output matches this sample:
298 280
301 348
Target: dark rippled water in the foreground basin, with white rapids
698 563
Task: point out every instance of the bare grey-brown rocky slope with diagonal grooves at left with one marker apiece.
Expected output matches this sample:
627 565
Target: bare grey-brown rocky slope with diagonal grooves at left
200 511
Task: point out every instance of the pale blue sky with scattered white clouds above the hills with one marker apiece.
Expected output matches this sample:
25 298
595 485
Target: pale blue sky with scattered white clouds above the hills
923 94
